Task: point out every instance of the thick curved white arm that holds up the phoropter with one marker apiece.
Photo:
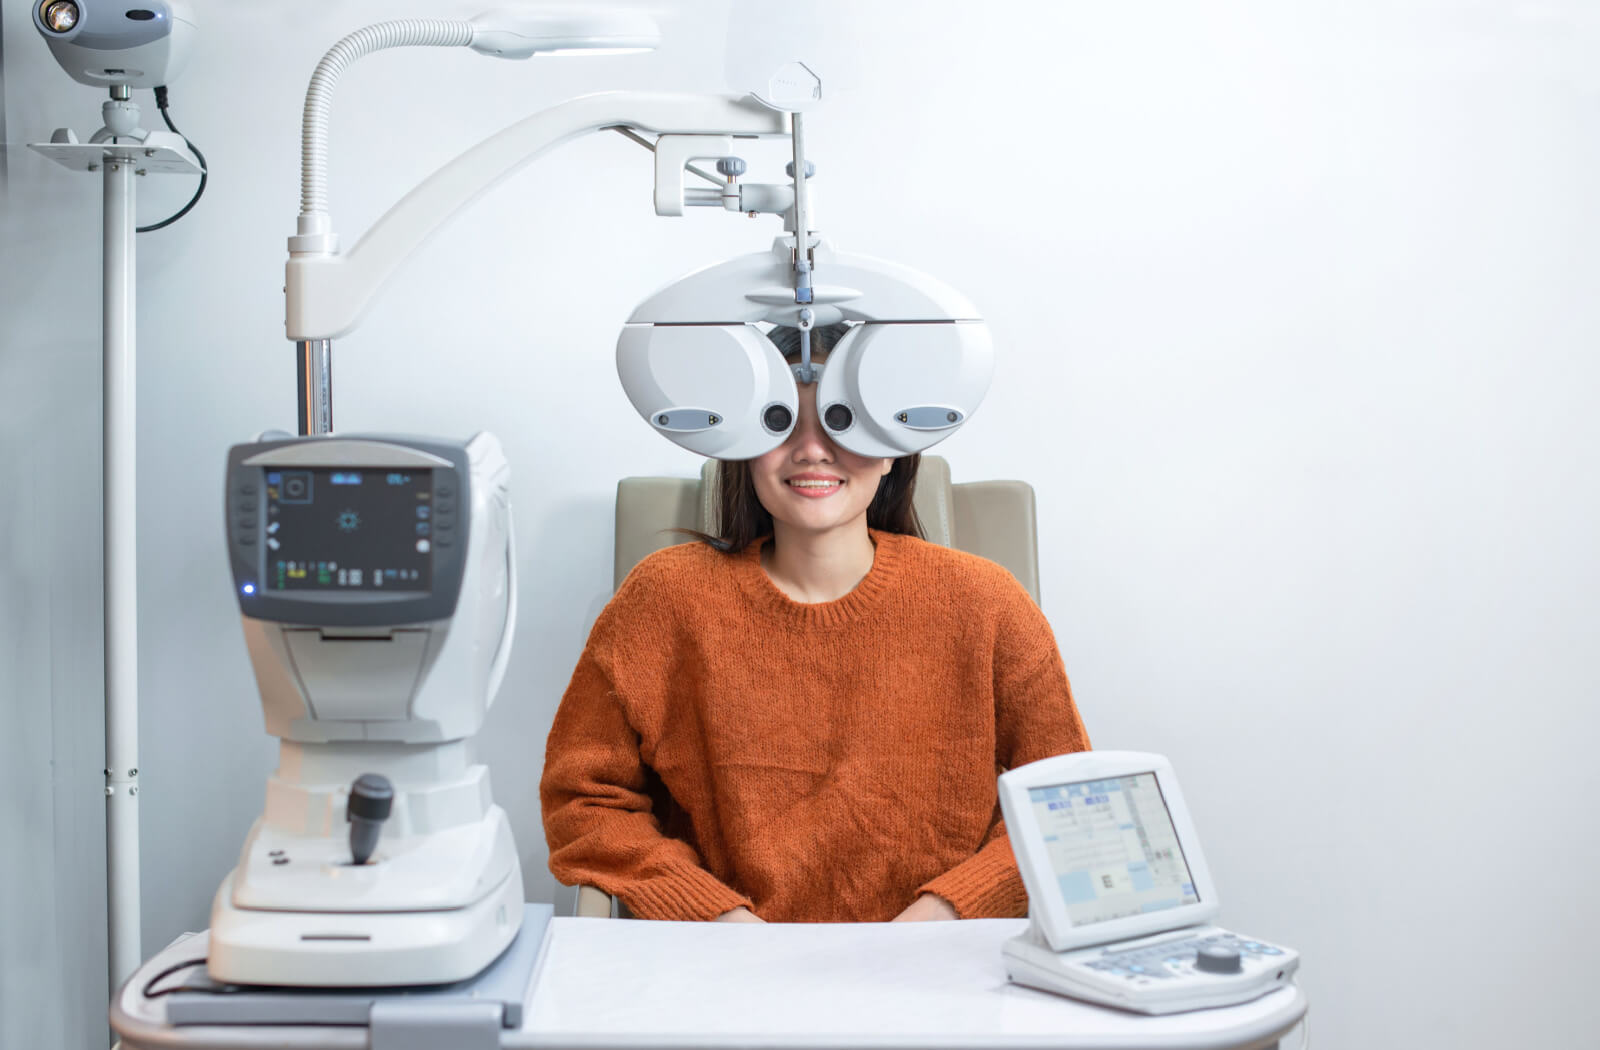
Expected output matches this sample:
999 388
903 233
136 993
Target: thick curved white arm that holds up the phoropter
329 292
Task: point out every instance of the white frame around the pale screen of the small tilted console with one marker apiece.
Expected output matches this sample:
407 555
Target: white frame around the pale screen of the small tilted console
1033 857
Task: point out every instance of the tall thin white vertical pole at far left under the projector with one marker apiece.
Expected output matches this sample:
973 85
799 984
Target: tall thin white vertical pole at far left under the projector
122 579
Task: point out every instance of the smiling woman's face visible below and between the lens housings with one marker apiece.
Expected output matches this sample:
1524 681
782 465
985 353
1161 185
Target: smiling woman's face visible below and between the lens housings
812 484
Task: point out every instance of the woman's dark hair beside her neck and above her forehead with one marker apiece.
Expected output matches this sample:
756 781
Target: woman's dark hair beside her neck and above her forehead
740 516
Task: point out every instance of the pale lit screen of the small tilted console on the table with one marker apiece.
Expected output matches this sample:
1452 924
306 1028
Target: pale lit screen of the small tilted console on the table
1113 848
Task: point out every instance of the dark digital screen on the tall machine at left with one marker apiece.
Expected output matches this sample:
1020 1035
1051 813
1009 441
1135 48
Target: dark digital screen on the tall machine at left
350 531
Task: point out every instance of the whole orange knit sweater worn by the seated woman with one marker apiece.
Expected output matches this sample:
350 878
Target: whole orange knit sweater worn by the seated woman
722 745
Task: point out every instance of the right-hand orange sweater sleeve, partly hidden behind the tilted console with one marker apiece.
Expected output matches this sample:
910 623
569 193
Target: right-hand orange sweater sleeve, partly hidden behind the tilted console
1036 718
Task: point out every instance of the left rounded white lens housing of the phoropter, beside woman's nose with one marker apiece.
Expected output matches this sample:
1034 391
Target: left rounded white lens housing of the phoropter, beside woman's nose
708 388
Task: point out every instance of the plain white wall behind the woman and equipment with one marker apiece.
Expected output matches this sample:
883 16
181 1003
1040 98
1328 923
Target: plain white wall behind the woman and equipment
1297 318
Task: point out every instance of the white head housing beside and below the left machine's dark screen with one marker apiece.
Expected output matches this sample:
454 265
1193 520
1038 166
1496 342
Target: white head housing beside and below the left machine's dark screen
426 683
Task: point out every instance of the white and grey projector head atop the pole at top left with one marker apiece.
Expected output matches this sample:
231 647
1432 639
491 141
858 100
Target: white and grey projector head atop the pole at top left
137 44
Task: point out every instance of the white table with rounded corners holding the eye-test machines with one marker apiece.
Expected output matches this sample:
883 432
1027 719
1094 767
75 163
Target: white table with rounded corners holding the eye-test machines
631 985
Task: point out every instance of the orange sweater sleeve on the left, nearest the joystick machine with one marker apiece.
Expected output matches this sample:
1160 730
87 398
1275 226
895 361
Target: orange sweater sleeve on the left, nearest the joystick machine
598 811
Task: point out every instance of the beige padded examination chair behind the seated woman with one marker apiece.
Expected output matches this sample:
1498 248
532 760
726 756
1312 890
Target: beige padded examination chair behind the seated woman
991 519
